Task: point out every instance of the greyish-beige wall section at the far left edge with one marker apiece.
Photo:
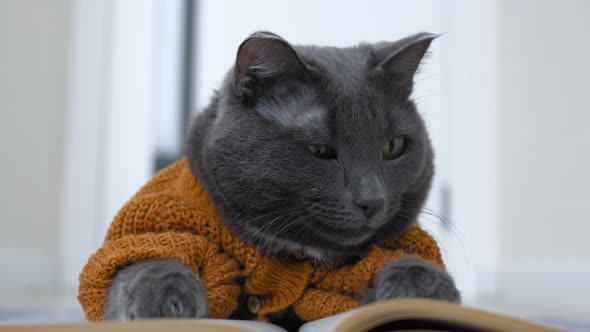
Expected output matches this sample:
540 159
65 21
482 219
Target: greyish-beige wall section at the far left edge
33 60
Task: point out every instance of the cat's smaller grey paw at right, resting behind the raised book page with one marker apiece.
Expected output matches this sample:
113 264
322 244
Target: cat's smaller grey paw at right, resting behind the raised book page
414 277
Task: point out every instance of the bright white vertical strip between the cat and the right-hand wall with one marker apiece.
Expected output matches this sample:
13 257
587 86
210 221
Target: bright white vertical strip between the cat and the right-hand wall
470 81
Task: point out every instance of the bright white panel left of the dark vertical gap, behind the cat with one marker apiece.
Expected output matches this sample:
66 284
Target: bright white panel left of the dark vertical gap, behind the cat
123 77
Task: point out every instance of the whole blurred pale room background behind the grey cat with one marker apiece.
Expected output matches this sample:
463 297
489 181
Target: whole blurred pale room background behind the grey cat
95 96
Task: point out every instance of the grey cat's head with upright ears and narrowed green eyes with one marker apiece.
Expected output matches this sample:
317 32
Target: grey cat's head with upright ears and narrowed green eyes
316 148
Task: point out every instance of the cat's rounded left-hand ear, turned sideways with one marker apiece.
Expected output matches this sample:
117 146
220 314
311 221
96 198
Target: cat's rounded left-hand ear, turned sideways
264 58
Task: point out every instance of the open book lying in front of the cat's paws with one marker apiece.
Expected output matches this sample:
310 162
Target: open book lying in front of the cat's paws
394 315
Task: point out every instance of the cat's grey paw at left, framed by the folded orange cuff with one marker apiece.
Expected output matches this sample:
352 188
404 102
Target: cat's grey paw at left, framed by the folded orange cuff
156 289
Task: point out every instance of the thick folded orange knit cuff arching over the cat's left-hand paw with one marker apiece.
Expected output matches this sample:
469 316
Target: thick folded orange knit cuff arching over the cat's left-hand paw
216 270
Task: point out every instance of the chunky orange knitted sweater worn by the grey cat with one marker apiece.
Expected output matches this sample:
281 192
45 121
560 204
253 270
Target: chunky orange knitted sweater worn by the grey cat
172 217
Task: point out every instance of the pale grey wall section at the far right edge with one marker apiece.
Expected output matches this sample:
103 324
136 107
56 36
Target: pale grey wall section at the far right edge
543 143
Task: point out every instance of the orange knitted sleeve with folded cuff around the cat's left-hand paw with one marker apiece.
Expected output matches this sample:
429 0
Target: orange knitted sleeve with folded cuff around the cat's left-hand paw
159 225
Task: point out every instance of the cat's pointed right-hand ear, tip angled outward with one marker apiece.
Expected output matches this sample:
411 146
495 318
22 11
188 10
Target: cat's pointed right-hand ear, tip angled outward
402 58
